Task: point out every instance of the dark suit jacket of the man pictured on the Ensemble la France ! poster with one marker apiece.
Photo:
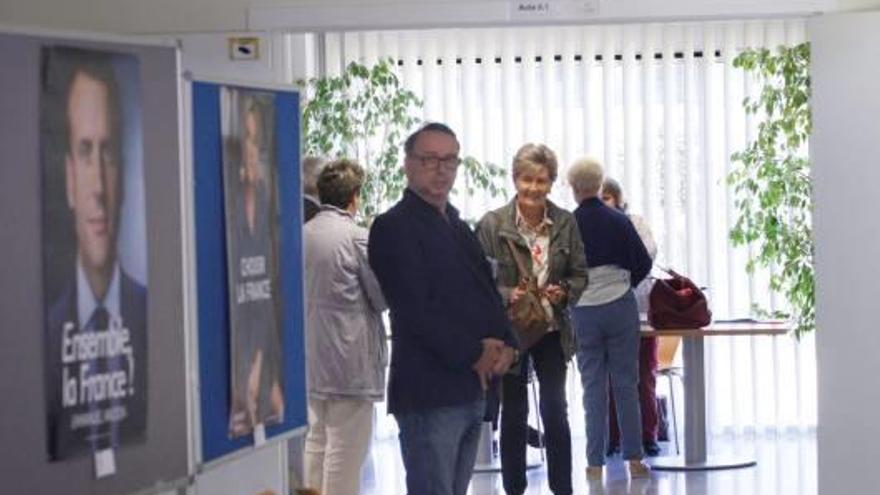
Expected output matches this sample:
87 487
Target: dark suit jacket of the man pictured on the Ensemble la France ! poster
63 440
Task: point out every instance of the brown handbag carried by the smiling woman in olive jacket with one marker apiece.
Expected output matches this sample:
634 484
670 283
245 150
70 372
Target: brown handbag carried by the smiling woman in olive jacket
527 314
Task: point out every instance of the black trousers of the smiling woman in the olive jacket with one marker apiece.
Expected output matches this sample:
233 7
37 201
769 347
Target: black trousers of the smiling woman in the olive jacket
550 368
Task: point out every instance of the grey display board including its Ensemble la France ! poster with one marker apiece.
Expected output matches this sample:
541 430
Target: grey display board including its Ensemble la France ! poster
64 401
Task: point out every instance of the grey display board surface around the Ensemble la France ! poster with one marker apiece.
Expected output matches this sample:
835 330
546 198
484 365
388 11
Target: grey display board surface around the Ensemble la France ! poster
23 458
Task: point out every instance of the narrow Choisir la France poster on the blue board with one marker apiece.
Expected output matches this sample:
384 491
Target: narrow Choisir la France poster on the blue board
250 171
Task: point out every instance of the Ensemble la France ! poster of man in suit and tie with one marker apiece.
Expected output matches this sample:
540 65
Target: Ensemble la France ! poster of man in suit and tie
94 250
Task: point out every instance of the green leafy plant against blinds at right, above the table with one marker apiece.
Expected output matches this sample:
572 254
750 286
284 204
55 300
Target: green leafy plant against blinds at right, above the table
771 179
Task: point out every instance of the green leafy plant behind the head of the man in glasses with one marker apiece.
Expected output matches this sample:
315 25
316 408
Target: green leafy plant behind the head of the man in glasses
365 113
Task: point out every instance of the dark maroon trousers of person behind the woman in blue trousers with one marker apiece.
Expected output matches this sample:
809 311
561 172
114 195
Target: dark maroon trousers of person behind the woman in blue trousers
647 395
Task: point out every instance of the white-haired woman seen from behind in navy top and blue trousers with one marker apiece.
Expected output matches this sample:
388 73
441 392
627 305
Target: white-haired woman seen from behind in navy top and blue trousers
606 319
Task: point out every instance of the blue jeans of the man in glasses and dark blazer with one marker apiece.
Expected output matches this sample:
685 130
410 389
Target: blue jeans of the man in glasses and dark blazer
439 447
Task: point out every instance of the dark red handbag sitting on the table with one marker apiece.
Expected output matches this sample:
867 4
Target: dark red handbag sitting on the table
677 303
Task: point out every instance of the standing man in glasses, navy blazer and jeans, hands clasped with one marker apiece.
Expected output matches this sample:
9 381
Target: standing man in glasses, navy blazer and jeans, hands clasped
450 334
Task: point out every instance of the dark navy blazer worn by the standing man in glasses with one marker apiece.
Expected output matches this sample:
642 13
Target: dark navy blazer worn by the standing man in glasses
443 302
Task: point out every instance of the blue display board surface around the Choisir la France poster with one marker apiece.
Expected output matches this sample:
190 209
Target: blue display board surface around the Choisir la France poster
213 246
